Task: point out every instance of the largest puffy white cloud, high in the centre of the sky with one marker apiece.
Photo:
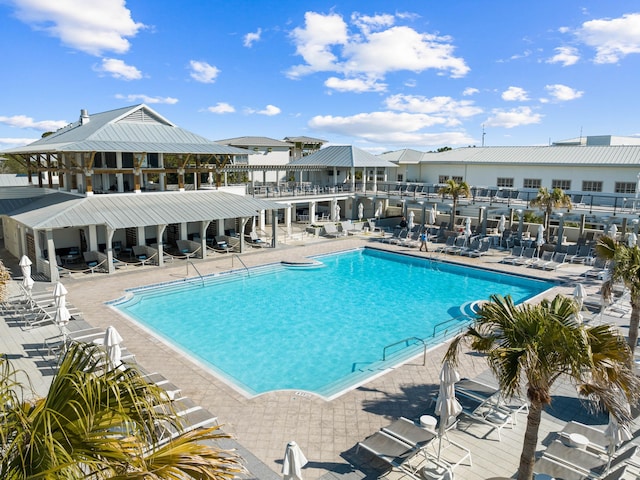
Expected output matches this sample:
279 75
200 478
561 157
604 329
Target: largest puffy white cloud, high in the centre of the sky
326 45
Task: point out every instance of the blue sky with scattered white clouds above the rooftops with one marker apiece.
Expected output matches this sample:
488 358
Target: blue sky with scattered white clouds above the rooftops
378 75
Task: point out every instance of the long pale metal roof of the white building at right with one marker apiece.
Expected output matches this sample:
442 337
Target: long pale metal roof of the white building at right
551 155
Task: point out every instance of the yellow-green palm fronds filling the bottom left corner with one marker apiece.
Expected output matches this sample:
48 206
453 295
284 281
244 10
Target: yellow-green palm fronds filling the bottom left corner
100 424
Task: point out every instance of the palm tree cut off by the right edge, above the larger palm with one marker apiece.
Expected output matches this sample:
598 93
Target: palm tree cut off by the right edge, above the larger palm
624 266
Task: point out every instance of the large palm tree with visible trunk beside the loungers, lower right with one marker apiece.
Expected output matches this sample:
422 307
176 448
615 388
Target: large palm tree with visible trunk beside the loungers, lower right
536 345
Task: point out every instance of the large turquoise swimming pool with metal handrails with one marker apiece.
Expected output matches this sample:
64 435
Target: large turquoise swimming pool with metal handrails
321 330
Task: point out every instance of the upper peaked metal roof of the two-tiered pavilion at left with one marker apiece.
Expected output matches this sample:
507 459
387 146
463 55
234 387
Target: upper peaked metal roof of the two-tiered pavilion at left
131 129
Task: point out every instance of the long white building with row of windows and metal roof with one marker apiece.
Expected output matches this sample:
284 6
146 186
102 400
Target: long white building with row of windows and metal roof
573 168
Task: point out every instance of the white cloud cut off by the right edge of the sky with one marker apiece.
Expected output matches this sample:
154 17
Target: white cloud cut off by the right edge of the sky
613 39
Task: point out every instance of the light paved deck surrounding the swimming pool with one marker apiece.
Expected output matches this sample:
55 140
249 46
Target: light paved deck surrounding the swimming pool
326 431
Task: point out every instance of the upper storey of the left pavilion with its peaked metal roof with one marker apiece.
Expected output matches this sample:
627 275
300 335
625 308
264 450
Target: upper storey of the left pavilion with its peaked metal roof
123 150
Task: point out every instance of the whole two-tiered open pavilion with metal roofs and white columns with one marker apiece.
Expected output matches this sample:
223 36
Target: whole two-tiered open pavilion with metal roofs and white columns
125 150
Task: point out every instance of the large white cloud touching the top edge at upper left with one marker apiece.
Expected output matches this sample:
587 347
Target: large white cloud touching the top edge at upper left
91 26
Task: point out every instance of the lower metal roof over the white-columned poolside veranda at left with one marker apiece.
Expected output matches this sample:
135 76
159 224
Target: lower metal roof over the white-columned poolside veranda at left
60 210
